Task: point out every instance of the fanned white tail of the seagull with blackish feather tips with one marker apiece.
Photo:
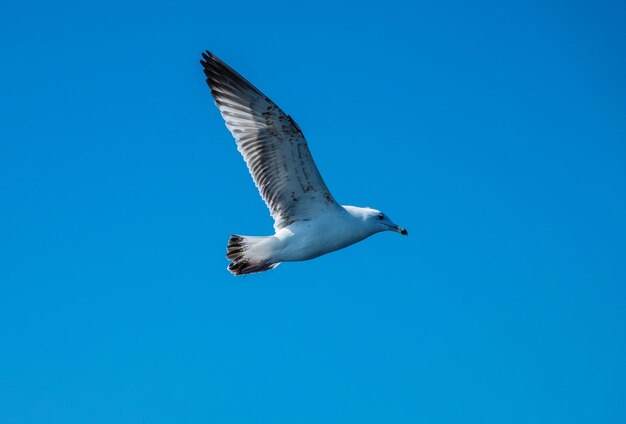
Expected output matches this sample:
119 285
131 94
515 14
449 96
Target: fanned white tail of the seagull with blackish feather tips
245 258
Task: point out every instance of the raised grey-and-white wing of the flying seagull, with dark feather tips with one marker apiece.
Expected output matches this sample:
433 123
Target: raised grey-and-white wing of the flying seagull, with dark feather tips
272 145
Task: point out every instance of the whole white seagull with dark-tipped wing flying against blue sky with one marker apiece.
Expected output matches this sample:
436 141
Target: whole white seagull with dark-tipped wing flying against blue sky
308 222
